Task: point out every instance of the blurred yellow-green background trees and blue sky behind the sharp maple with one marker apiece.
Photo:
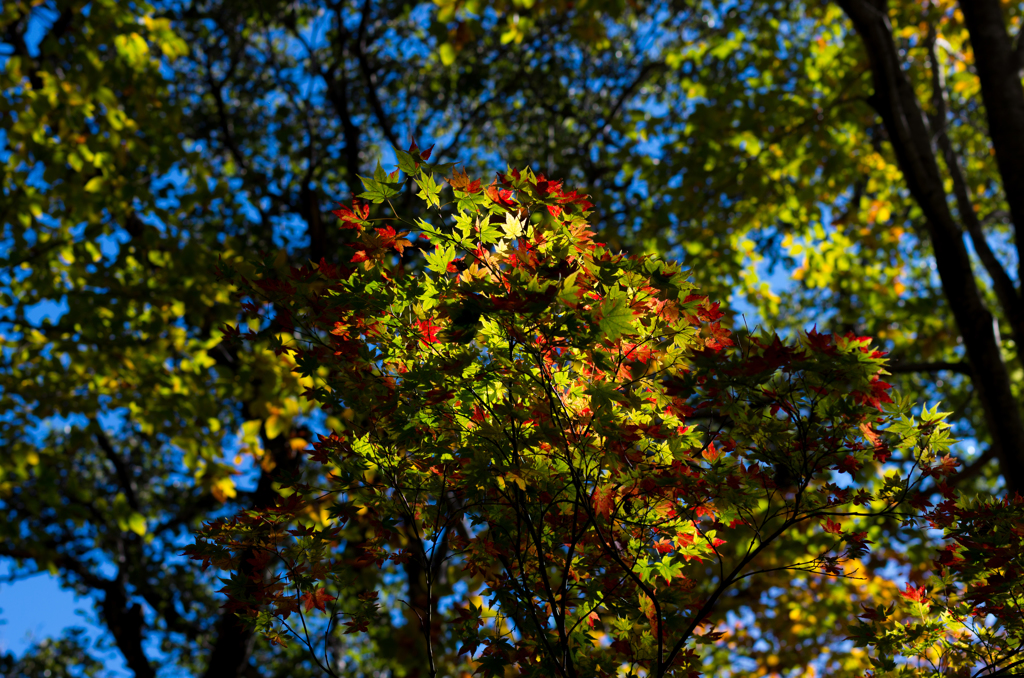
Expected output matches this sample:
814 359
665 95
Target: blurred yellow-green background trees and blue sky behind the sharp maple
851 165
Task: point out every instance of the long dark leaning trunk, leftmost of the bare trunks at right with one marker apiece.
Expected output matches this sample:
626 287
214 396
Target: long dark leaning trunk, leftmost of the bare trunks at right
902 113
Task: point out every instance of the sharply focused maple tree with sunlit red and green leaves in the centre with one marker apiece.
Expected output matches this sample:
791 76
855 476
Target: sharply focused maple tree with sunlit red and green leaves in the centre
573 436
